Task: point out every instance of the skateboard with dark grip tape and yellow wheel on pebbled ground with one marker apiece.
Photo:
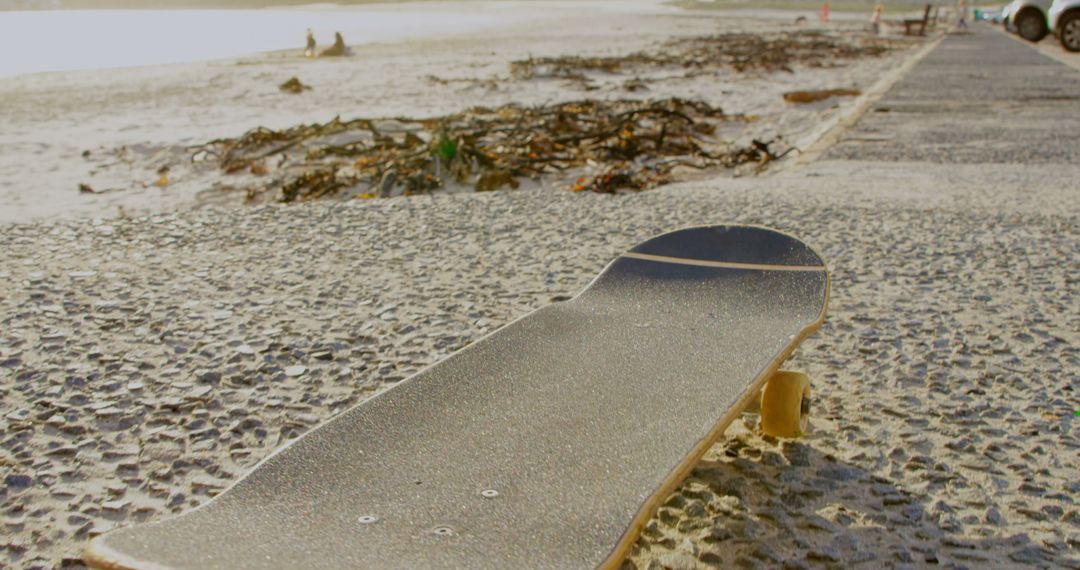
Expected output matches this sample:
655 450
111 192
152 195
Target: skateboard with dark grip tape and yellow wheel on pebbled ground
547 444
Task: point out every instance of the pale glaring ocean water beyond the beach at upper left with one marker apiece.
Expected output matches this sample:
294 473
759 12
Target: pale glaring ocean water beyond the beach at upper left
38 42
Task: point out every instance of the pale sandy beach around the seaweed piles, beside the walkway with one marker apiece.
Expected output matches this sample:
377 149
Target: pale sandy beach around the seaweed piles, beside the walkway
114 130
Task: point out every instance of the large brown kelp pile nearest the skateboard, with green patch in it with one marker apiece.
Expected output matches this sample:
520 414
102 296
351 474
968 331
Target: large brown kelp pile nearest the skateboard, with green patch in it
600 146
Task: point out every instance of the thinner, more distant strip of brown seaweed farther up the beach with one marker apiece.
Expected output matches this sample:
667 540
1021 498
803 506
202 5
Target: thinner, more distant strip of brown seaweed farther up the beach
742 52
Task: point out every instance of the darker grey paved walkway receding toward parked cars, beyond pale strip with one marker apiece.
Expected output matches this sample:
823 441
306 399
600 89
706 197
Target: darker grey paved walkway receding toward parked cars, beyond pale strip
978 99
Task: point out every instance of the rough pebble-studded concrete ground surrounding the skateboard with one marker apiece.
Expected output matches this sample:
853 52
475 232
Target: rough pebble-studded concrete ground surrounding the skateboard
147 363
